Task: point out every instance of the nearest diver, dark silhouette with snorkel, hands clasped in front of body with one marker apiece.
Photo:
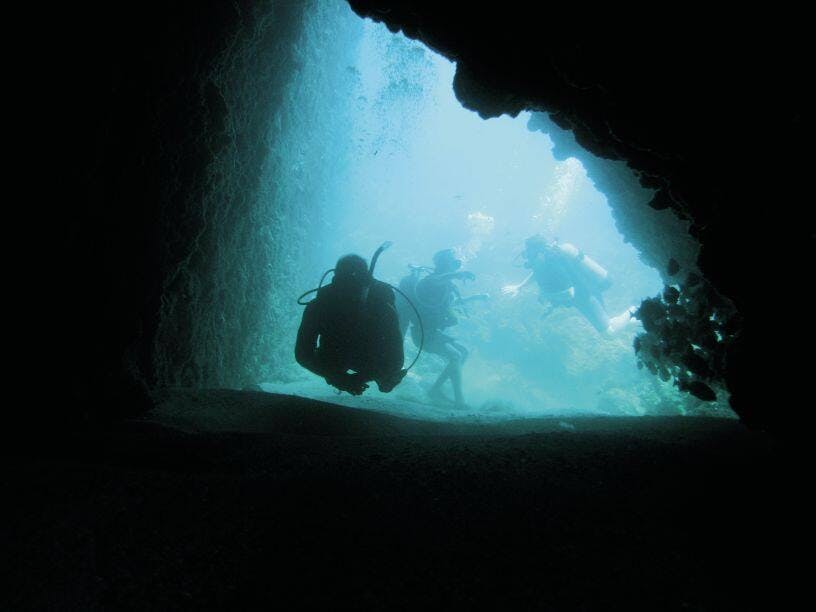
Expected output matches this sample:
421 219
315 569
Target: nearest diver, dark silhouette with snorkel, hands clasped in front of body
350 332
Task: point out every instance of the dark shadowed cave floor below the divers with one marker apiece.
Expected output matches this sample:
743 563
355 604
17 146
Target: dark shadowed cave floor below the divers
267 501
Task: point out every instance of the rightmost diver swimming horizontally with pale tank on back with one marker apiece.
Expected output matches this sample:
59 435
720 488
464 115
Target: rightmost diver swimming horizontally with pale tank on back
568 277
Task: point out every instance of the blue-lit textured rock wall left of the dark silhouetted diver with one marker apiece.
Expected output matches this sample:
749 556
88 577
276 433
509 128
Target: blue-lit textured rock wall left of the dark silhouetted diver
228 312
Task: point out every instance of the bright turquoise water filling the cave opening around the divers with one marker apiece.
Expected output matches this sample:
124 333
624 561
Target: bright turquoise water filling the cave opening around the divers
397 158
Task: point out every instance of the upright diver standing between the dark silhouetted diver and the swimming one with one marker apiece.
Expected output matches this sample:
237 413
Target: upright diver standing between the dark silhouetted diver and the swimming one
435 296
